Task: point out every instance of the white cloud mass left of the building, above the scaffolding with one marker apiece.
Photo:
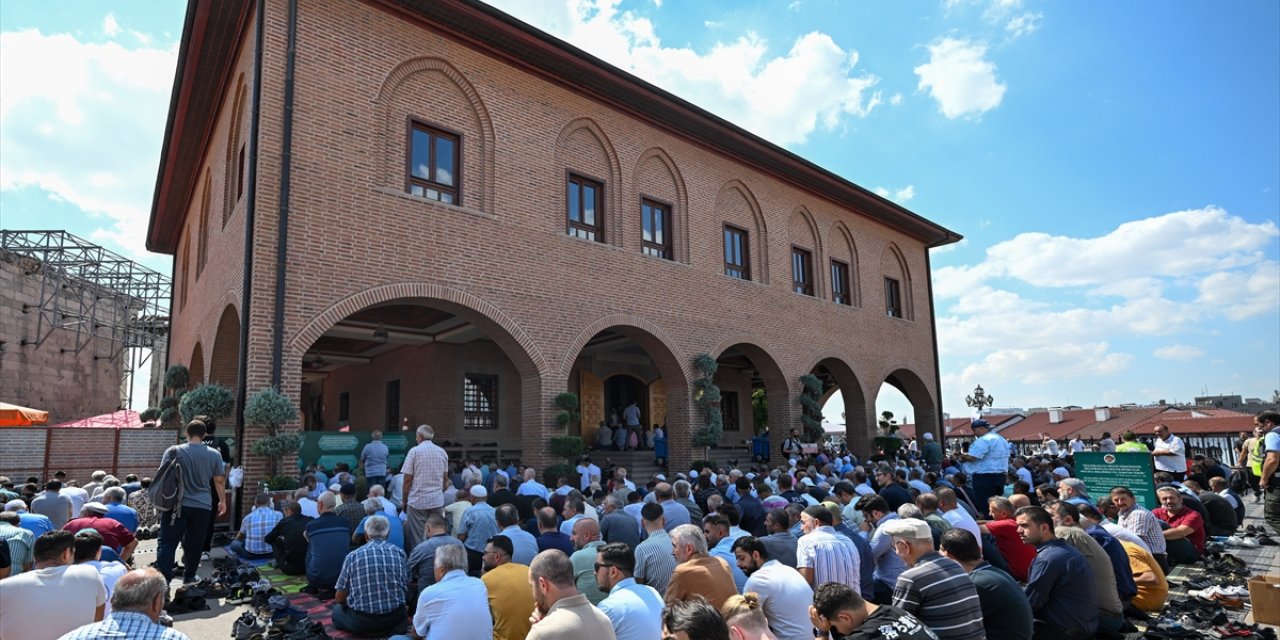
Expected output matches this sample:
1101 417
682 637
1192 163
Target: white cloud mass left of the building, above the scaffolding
67 107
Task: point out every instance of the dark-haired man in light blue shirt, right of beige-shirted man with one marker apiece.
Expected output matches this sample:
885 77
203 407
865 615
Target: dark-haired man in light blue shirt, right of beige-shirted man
634 610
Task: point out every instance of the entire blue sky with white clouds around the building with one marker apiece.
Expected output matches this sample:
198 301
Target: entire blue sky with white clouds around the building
1116 167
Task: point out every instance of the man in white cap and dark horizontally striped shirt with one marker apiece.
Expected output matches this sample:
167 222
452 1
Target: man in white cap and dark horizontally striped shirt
935 589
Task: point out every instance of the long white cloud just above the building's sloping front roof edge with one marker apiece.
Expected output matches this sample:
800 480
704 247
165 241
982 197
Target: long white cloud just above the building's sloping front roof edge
783 98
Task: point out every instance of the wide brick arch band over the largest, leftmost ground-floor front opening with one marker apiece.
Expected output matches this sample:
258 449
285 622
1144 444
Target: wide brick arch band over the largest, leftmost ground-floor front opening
514 341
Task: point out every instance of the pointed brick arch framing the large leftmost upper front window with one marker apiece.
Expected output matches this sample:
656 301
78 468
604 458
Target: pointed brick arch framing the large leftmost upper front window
478 164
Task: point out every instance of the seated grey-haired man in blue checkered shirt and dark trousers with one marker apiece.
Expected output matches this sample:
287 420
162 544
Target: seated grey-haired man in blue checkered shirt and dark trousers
371 591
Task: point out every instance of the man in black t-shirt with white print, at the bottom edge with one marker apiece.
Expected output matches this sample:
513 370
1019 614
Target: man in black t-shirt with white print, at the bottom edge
839 611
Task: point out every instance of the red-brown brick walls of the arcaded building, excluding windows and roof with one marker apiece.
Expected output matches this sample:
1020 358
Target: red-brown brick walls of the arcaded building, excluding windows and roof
502 259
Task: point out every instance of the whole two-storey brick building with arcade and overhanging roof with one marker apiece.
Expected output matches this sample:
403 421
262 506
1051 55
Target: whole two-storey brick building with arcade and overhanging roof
435 212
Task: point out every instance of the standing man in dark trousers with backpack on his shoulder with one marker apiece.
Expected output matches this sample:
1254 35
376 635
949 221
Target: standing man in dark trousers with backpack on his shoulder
182 492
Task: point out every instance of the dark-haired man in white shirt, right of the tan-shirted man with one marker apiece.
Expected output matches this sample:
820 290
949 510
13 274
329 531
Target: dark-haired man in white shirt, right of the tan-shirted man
783 592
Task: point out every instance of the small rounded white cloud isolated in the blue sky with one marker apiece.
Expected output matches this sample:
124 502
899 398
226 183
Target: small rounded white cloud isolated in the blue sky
961 80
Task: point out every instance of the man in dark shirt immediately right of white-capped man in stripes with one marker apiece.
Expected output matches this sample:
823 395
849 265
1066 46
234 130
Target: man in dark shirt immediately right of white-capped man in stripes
1007 614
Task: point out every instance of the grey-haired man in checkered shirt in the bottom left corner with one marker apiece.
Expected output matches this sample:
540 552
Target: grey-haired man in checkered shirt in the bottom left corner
136 606
